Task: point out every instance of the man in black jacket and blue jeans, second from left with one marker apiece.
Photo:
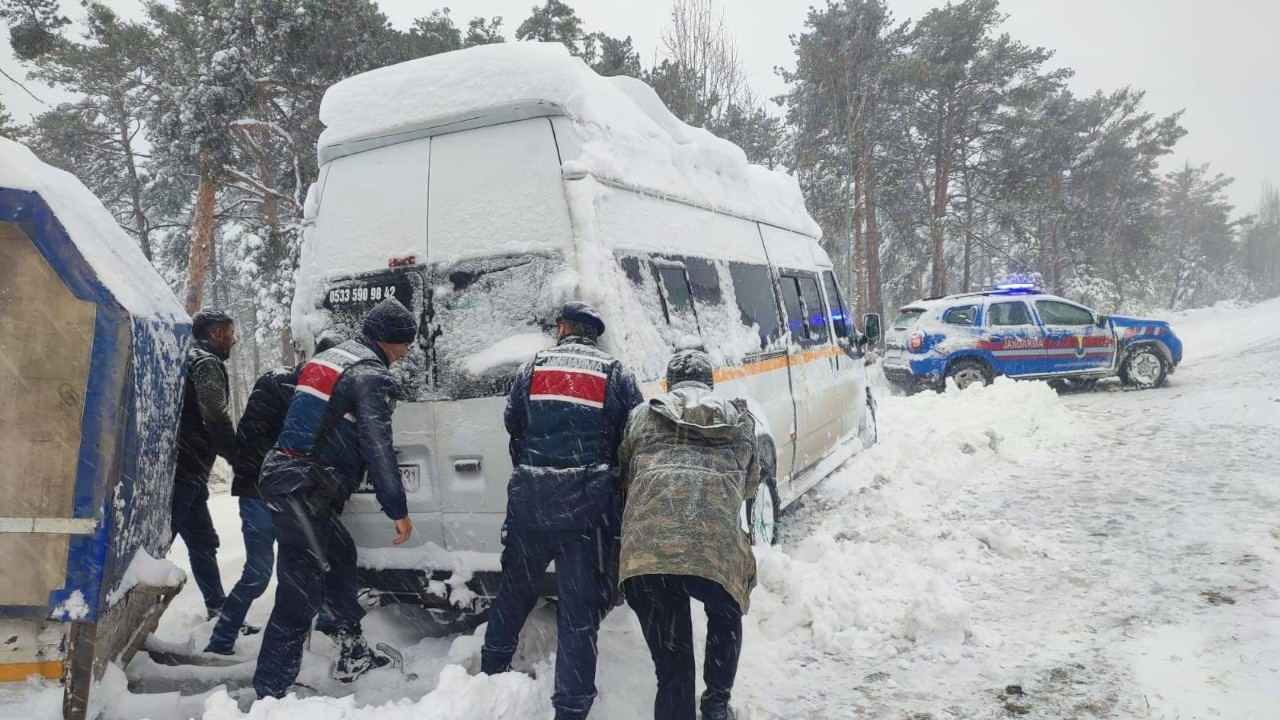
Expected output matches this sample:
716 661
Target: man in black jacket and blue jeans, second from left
255 436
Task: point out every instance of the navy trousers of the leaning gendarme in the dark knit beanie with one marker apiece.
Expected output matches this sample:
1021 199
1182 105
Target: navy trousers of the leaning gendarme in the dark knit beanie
317 564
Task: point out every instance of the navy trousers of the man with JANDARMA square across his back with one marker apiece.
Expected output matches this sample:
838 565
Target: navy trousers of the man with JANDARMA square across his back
584 596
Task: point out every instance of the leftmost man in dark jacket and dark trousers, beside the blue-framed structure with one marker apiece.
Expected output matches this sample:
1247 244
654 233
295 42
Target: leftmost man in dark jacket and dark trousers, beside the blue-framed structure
205 432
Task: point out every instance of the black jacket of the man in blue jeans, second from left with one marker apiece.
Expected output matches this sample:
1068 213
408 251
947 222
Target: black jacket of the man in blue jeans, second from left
260 426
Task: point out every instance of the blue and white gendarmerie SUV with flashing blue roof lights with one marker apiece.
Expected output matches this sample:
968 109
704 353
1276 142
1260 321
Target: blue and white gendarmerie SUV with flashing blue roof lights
1020 331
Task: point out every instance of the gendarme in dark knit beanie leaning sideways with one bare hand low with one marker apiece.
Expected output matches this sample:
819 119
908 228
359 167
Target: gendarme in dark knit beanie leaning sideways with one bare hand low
339 427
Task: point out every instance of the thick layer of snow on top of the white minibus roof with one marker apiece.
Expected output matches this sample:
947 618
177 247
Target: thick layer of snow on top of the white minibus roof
628 135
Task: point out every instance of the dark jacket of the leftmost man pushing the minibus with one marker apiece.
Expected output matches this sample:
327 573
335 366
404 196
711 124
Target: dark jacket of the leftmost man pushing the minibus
205 430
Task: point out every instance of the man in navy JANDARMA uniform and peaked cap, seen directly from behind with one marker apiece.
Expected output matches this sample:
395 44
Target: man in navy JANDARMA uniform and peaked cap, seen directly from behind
565 416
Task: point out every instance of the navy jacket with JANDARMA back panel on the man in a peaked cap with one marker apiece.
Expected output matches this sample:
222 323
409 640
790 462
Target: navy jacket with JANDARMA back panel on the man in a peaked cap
565 416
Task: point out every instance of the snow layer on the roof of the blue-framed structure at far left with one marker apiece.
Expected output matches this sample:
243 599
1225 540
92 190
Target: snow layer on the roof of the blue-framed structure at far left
115 257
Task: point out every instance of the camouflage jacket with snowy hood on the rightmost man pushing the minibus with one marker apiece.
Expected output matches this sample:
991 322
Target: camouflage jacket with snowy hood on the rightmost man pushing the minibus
689 463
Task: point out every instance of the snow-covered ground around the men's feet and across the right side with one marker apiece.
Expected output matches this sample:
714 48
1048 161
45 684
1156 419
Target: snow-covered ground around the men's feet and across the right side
1004 552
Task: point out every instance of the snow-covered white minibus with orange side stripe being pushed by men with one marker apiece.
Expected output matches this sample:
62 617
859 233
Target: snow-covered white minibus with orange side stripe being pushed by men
486 188
